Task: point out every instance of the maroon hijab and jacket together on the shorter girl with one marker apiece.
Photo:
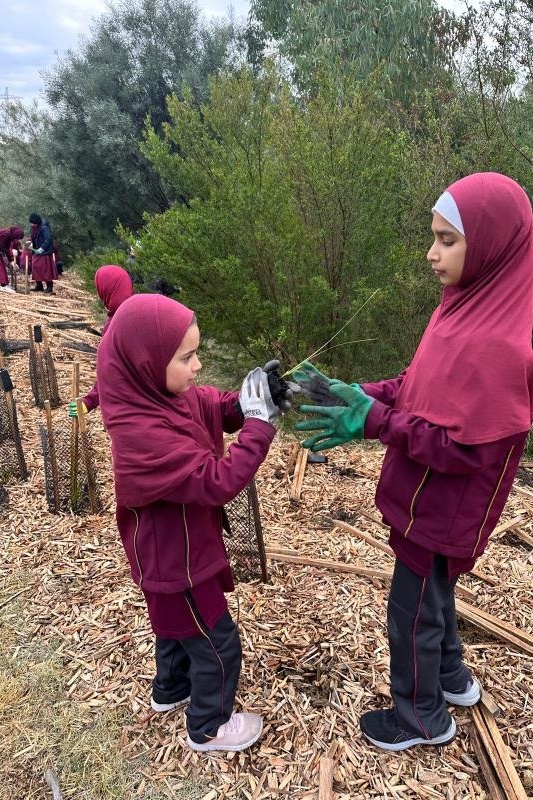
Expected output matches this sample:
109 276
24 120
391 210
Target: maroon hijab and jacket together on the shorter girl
171 475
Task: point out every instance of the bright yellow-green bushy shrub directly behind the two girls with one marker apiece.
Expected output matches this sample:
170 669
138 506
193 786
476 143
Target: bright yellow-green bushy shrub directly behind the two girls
291 222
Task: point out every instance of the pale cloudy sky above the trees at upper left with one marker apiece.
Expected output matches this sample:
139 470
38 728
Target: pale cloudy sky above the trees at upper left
33 34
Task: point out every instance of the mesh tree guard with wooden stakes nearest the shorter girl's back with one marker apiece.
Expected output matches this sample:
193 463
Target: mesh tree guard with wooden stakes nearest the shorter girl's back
69 467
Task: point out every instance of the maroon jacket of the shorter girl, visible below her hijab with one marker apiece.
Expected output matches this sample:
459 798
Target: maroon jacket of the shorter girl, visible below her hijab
176 542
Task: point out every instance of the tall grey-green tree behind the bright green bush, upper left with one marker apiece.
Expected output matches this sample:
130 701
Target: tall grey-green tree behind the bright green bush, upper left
102 93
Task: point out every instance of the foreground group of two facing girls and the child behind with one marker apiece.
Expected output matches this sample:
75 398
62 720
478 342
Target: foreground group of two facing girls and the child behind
455 423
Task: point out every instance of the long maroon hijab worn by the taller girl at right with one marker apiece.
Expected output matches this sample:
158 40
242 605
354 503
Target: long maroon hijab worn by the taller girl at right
473 370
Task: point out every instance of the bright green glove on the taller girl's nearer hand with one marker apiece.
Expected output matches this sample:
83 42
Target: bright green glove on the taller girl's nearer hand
338 424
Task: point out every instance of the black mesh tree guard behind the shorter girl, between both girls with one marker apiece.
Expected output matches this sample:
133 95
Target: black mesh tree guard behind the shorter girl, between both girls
243 536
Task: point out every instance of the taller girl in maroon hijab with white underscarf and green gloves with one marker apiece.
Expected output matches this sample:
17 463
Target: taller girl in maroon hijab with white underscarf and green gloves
455 424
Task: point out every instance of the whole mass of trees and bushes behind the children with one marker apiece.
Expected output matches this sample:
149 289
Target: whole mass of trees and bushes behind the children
282 171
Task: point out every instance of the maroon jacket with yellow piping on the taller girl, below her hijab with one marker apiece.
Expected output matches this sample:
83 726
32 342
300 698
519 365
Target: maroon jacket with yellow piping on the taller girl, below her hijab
440 495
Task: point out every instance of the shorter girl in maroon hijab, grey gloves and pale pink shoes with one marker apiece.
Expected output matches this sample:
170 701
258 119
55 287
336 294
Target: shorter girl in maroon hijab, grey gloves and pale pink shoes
172 480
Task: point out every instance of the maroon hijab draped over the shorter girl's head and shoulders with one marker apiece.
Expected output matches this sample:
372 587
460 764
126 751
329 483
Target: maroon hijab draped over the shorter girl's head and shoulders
157 438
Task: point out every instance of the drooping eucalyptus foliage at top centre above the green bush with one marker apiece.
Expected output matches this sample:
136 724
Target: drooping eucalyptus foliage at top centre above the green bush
409 40
